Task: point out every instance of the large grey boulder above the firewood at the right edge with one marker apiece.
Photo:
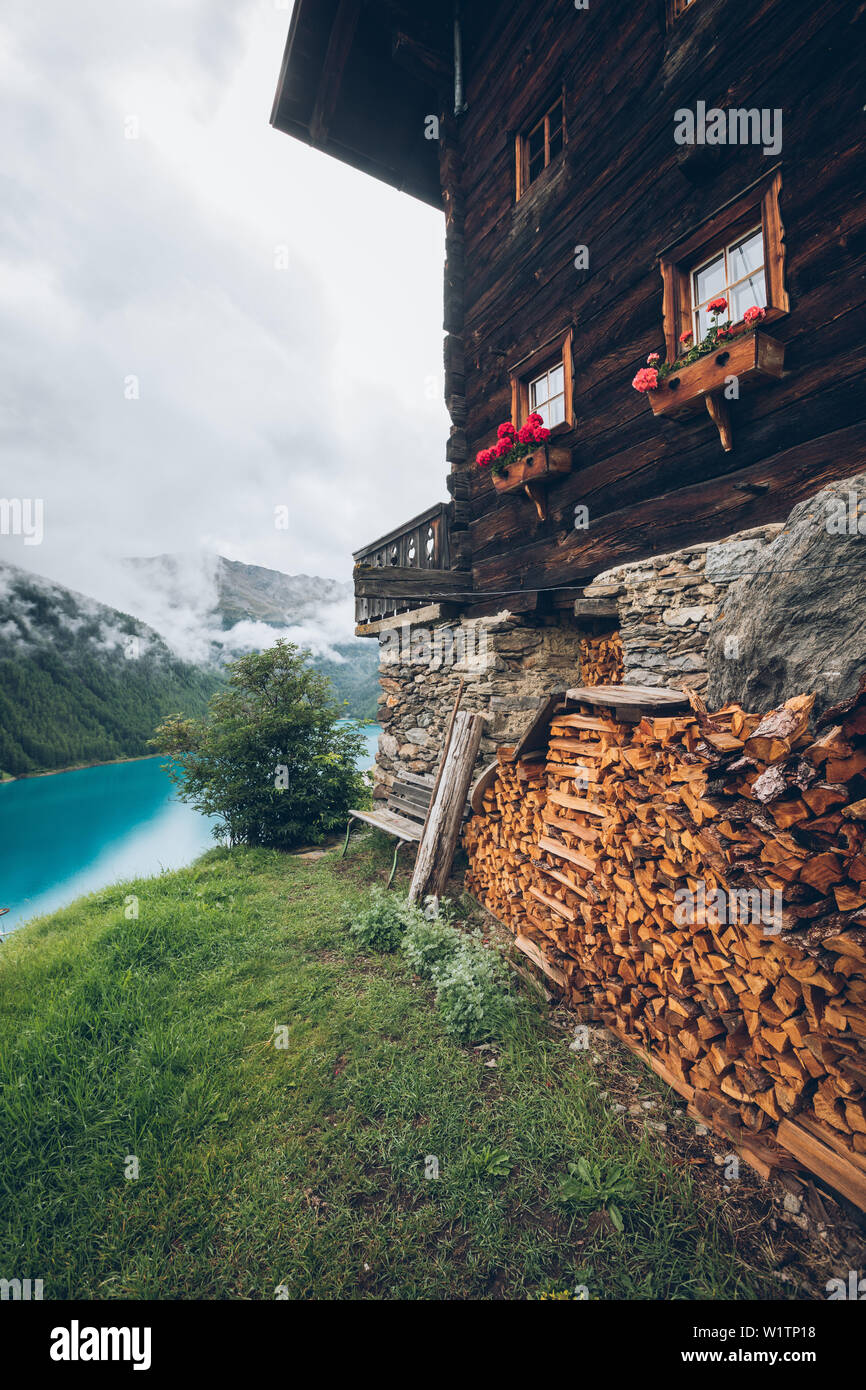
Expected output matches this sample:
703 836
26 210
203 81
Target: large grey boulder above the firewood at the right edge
797 619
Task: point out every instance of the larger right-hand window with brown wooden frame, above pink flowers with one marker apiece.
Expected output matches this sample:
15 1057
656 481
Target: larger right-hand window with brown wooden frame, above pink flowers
737 254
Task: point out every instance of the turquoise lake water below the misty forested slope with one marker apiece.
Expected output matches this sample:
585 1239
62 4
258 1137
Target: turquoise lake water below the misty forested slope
73 833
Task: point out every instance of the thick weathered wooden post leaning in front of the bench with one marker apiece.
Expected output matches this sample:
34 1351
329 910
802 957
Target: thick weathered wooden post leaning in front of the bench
440 840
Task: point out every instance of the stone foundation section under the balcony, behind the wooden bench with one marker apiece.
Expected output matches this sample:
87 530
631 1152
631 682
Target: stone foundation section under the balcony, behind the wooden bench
508 665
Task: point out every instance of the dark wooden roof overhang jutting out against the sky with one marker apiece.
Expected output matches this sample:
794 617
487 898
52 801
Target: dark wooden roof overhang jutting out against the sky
361 77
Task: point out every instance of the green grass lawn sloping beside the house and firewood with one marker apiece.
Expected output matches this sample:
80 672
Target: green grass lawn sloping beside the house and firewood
305 1167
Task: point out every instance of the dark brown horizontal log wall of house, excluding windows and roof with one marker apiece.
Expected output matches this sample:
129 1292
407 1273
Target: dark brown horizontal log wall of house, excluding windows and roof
653 484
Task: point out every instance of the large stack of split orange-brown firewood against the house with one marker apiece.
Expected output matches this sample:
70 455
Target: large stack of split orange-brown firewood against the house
705 879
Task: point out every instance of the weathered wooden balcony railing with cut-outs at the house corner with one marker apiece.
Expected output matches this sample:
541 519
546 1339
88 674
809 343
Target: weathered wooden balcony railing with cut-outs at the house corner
408 569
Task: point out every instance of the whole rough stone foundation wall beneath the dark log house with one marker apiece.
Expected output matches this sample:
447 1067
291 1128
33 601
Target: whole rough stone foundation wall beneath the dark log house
668 611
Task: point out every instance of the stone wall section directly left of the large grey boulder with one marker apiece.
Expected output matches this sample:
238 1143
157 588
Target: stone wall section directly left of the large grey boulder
671 604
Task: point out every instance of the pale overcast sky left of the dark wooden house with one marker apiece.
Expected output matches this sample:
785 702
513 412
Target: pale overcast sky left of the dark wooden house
316 387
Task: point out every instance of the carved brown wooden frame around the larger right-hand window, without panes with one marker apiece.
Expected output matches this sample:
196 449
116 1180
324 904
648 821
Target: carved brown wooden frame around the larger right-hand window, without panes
757 206
